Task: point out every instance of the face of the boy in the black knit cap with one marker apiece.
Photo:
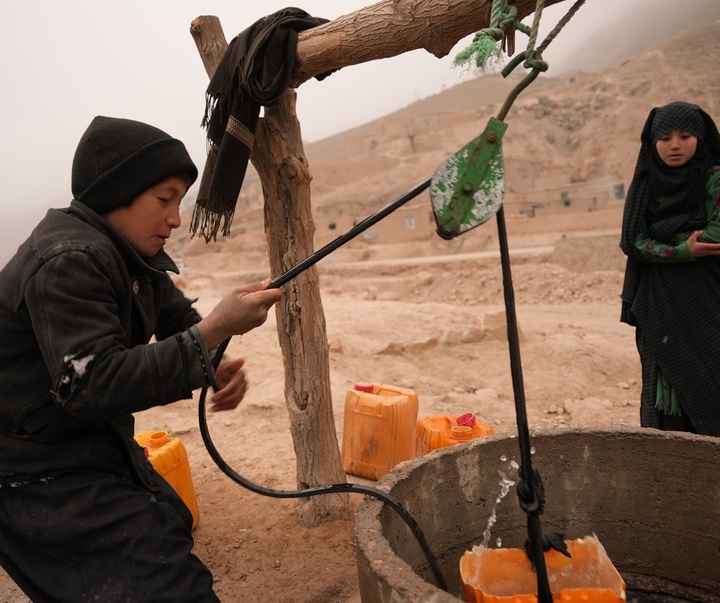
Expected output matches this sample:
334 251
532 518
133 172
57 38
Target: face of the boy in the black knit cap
150 219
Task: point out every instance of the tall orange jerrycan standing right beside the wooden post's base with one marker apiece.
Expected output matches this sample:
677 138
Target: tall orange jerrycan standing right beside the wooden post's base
378 429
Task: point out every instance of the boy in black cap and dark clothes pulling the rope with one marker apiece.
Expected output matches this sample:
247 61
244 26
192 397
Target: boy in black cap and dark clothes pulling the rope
83 516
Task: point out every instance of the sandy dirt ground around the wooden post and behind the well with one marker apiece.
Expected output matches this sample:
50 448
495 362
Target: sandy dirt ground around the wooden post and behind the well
433 324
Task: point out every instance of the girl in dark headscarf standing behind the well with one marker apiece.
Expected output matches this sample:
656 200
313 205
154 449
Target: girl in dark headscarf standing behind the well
671 235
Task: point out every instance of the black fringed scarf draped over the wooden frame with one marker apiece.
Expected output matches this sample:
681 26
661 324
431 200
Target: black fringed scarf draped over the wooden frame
254 72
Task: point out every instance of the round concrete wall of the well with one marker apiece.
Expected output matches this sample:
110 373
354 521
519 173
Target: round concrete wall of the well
651 497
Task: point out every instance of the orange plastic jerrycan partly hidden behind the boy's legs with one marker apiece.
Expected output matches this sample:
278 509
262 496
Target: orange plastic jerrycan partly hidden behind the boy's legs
169 458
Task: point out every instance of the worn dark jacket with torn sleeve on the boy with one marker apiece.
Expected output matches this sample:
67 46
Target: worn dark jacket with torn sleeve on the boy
78 308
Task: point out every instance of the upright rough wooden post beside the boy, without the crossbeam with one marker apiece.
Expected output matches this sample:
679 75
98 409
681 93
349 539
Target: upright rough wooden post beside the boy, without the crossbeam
279 158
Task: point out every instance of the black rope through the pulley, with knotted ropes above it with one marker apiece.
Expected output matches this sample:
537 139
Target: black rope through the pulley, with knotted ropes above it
530 489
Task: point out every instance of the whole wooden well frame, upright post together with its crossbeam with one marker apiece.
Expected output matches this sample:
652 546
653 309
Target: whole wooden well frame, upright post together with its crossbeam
384 29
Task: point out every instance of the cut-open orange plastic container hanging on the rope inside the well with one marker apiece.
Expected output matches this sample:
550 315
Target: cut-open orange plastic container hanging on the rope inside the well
506 575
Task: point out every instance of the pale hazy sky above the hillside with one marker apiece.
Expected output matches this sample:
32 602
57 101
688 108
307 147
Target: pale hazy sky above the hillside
64 62
